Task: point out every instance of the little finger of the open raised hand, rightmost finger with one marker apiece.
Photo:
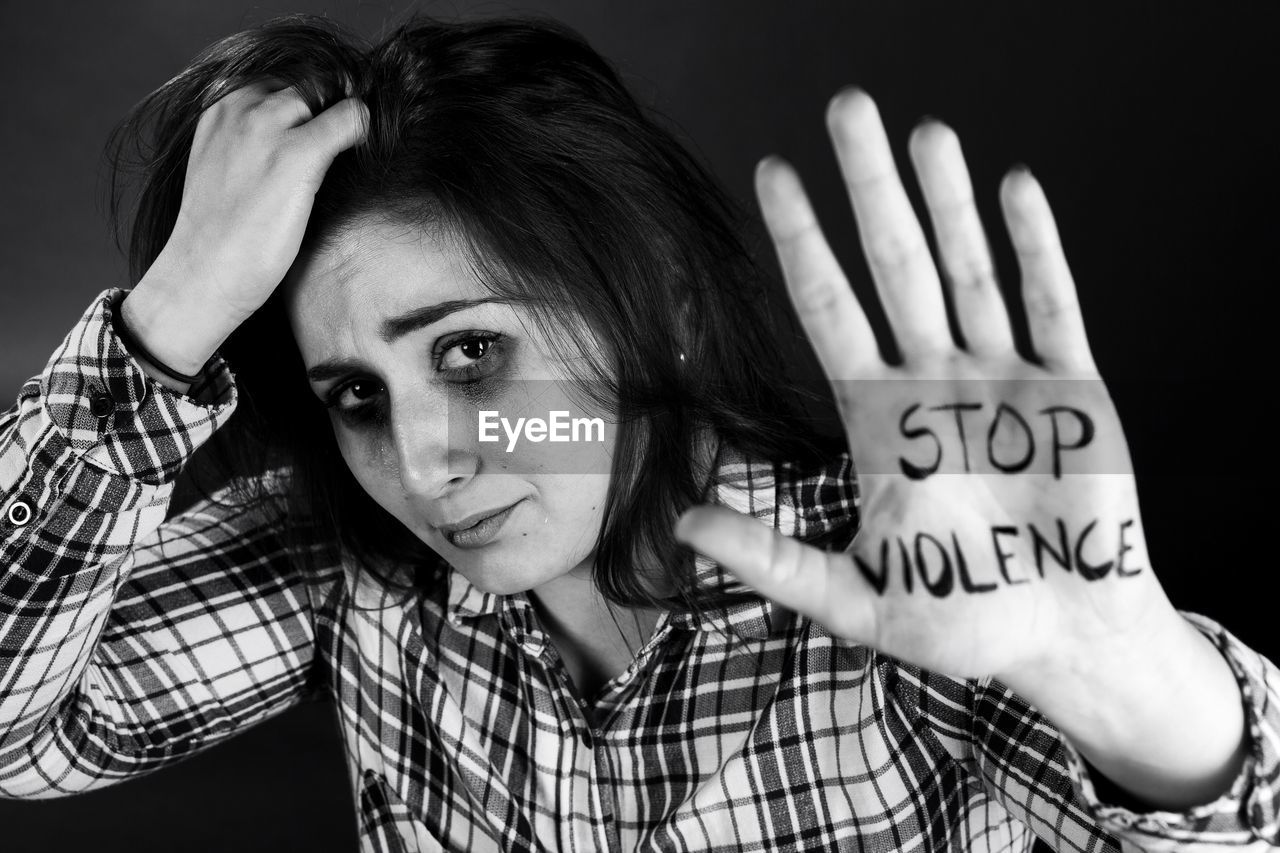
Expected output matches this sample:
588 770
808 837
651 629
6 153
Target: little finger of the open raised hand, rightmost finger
1049 294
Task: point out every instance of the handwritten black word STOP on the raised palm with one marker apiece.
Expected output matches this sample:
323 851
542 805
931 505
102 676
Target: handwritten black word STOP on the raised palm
1011 439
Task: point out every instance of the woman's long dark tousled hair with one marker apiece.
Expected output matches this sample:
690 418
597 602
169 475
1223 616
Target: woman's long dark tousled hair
518 138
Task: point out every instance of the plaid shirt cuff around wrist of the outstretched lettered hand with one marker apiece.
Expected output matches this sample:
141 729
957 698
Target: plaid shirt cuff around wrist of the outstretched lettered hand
1249 811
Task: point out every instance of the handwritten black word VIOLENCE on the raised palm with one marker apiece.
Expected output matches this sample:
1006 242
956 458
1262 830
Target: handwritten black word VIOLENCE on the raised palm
941 567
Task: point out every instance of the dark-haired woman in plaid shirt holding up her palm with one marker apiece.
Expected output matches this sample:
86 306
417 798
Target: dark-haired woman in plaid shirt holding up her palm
476 220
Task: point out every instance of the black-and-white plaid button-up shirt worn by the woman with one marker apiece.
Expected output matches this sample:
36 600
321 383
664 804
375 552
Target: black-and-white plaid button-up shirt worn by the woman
129 642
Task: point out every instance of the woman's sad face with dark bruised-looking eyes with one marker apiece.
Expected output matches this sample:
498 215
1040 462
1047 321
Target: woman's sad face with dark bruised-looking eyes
406 345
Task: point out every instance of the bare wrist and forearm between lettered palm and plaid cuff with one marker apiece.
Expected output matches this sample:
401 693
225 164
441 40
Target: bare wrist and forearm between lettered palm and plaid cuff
1163 720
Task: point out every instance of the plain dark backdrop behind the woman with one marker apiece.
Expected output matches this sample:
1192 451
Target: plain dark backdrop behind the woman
1151 126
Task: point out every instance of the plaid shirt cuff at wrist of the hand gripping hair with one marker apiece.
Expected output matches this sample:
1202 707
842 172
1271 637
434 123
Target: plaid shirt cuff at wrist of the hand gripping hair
117 417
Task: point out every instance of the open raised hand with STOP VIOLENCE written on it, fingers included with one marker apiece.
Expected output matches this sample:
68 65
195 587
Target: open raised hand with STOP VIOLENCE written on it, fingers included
1000 528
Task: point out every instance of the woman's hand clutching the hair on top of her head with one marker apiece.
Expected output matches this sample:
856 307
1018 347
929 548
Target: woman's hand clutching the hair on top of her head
257 162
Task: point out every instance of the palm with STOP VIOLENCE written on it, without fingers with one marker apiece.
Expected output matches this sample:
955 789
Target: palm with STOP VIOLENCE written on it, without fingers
995 533
